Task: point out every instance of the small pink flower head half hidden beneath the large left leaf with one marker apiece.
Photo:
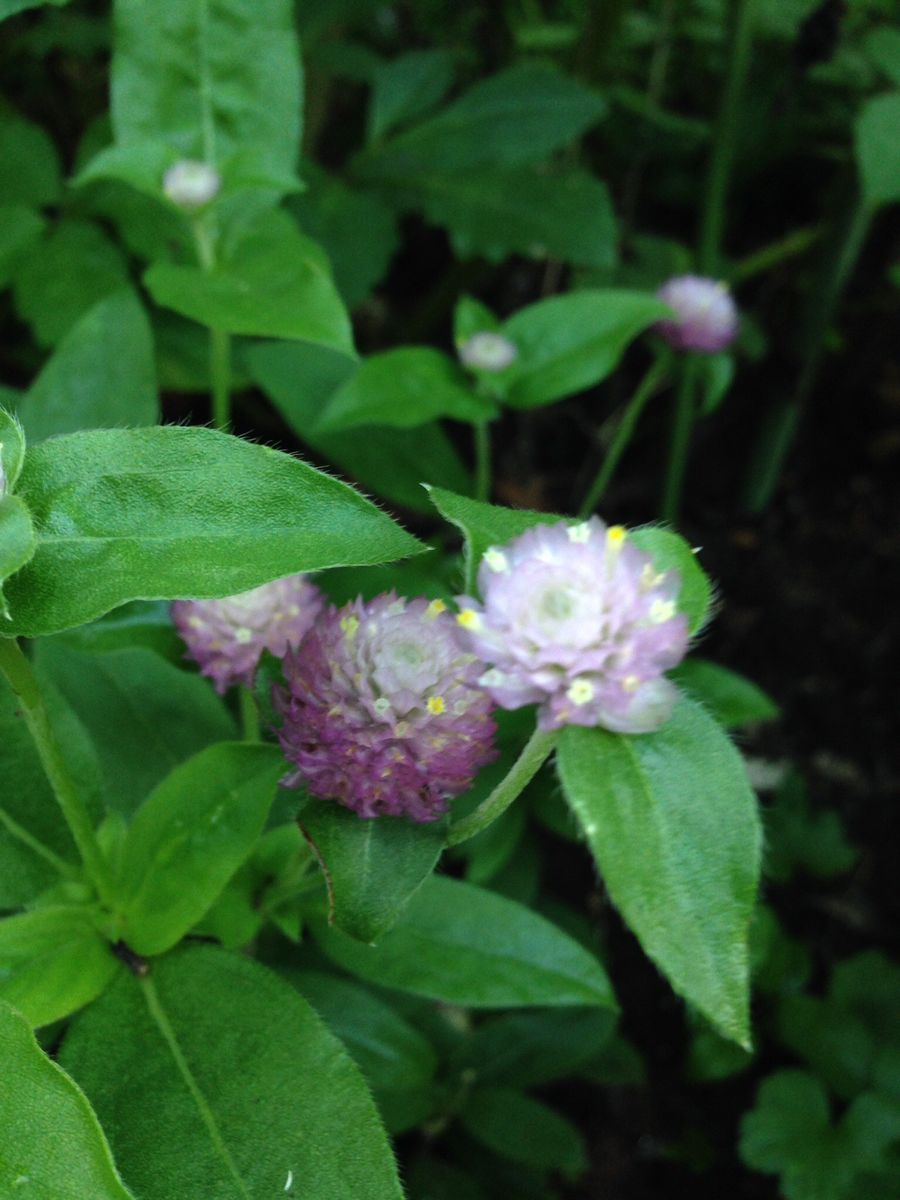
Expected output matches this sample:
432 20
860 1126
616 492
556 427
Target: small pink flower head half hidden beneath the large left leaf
227 638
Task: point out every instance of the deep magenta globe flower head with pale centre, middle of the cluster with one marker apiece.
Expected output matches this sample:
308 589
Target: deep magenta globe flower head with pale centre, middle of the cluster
383 712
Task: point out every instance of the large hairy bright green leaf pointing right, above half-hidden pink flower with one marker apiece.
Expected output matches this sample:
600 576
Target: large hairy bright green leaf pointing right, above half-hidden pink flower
165 513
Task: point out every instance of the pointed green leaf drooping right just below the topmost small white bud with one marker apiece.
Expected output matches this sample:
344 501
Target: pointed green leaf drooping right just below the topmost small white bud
275 283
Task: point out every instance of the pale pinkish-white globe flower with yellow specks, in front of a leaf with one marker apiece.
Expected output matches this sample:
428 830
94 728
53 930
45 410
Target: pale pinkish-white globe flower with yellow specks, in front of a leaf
578 621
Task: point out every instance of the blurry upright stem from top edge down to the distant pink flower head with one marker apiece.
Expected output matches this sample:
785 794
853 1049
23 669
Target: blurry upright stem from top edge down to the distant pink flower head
723 158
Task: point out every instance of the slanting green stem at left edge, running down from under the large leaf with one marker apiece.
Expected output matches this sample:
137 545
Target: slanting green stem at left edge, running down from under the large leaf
23 682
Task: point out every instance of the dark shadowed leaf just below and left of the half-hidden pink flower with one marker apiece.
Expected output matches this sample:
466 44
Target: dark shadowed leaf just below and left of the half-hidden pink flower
145 715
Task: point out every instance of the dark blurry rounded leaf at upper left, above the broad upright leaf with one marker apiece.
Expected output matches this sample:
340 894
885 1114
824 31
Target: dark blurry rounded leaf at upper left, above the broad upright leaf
64 275
